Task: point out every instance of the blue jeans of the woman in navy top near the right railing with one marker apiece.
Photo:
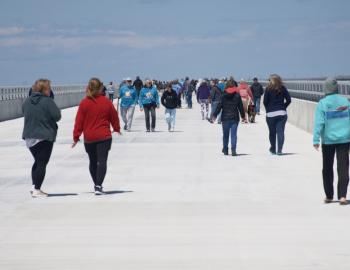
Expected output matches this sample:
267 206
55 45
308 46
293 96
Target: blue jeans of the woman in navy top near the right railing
276 126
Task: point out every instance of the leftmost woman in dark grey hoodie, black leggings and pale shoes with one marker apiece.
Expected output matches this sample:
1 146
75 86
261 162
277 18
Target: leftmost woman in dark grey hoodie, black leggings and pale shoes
41 115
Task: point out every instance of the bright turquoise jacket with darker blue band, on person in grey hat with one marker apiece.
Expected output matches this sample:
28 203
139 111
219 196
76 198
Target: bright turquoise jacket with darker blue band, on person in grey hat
332 120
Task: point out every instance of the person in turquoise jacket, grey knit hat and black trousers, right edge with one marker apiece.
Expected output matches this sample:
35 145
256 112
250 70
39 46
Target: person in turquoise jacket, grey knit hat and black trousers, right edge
332 127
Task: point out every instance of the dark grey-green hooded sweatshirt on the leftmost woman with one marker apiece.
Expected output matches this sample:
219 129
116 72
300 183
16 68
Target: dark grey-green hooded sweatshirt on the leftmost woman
40 117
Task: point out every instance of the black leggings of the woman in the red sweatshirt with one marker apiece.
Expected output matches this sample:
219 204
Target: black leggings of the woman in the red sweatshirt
98 155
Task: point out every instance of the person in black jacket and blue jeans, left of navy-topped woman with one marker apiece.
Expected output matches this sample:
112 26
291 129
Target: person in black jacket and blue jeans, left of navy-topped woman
231 107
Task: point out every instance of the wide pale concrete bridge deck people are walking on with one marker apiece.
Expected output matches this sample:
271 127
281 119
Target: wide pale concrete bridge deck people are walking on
176 203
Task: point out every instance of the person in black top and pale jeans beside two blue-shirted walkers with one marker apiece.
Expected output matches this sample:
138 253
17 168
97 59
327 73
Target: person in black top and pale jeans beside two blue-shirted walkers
170 101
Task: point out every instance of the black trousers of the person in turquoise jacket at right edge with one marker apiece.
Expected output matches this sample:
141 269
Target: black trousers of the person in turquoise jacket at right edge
328 152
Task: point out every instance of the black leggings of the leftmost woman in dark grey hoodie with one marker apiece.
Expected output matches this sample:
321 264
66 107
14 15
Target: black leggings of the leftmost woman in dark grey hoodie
41 153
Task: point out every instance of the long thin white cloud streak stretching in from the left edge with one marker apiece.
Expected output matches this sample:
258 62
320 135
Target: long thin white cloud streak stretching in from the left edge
130 39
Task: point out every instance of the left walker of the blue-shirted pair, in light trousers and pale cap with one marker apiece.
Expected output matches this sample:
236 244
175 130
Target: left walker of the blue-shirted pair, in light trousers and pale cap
128 100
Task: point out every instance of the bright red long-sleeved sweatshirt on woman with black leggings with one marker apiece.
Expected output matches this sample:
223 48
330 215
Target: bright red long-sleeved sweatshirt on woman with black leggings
94 119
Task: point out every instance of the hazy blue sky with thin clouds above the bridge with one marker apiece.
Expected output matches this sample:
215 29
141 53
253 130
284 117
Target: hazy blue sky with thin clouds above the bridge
70 41
